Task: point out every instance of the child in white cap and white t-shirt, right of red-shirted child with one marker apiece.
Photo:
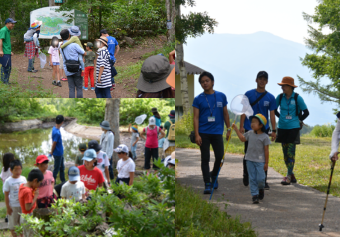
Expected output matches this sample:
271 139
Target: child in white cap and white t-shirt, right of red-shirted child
125 165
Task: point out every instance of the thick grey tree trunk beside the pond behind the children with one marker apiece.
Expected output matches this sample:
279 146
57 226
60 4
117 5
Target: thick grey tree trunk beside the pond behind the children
112 116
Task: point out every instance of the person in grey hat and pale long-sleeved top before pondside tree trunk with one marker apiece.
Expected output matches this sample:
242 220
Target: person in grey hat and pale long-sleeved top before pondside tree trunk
107 141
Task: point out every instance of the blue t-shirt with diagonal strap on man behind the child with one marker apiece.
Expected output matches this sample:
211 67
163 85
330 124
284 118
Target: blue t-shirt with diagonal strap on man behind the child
267 103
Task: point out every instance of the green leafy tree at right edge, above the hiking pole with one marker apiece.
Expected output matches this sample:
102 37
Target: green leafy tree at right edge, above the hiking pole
324 62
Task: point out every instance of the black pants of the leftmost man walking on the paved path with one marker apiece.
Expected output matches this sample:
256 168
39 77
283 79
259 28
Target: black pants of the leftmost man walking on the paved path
217 143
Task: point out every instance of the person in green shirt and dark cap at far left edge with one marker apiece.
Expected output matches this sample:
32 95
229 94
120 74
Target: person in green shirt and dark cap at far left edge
6 50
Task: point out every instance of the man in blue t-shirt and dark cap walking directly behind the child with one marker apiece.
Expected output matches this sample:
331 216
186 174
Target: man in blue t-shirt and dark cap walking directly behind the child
265 106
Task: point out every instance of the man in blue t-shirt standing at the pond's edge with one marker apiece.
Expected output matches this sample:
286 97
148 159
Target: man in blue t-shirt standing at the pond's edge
58 150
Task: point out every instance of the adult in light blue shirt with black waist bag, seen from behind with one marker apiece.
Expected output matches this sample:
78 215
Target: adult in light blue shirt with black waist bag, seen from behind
72 52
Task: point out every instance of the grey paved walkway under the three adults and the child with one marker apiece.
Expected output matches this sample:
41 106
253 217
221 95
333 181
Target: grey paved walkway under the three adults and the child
293 210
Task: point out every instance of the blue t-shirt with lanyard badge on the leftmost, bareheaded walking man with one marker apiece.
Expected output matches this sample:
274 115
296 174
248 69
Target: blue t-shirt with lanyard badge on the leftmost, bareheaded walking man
220 102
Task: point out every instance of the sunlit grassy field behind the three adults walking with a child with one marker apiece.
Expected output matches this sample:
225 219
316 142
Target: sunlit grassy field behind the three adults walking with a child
312 165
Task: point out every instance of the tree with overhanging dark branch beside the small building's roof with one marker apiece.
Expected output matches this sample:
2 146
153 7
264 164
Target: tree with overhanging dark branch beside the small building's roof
193 24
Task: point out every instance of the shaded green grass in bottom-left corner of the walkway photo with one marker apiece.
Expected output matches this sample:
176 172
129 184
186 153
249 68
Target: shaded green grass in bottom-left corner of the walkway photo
196 217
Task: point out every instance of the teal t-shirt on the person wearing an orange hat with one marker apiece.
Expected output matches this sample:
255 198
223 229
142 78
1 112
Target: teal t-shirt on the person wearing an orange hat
289 105
